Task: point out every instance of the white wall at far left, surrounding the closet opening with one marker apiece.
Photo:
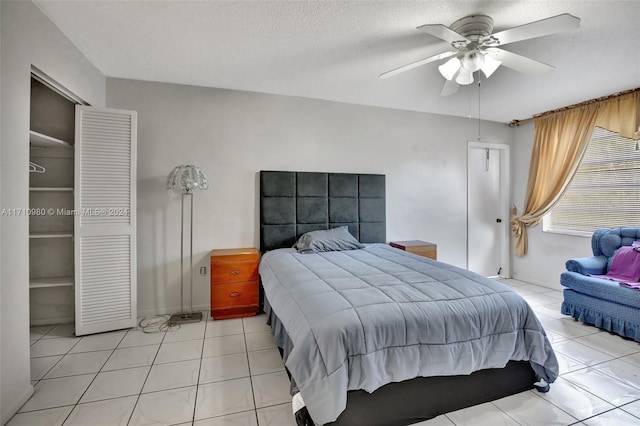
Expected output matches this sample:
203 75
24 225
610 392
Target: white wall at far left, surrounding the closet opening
28 38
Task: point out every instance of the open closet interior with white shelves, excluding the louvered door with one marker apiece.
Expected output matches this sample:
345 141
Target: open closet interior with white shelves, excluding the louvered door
51 164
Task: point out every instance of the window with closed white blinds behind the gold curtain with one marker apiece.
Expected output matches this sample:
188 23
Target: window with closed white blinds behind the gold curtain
605 192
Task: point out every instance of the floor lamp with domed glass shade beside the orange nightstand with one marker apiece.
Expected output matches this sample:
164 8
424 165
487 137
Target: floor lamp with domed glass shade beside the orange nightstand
187 179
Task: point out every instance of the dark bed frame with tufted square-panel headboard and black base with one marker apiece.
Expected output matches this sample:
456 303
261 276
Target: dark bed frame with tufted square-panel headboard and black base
292 203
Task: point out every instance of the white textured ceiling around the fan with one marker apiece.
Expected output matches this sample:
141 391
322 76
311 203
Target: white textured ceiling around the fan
335 50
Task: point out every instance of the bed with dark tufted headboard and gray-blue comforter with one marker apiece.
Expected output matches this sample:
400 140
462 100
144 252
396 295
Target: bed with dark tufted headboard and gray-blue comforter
376 335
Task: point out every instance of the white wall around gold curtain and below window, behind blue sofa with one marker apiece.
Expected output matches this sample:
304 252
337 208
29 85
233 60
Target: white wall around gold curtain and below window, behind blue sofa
547 252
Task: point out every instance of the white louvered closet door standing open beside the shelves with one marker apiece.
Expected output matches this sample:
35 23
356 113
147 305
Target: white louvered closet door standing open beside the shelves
105 221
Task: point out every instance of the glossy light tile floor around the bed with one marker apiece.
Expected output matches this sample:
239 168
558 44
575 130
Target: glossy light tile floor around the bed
221 373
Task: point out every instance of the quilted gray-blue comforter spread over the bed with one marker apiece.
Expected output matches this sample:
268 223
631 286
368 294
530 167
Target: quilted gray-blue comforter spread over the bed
360 319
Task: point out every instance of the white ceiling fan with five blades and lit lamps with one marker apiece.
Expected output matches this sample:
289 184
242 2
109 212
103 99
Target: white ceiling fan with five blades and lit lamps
475 48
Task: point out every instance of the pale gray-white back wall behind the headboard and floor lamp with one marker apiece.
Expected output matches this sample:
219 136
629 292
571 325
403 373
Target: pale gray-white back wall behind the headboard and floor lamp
232 135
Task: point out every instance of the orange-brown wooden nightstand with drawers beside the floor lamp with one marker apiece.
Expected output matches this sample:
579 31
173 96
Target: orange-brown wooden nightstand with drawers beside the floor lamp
234 283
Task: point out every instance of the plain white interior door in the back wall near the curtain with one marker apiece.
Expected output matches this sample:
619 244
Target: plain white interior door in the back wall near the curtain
488 209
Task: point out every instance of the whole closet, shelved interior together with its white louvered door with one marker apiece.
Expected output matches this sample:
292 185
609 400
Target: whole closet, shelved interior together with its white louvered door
82 199
